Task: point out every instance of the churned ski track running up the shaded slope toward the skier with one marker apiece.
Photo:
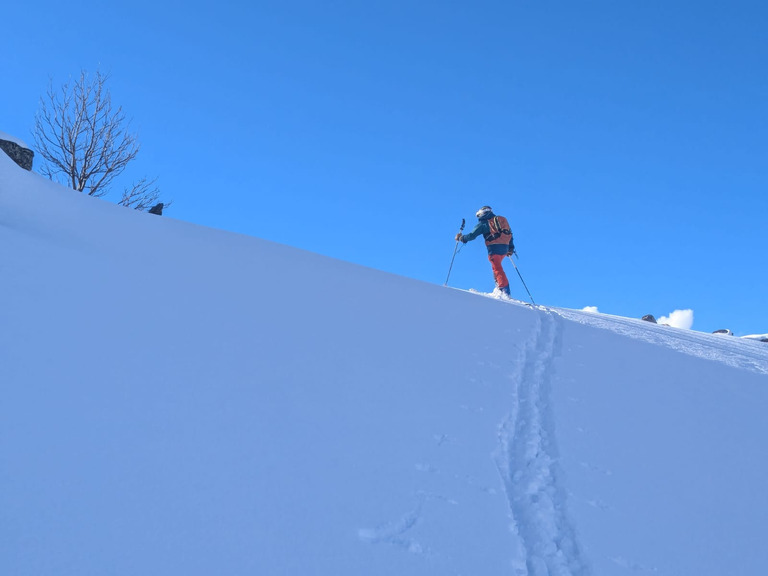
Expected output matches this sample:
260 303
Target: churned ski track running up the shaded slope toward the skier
527 458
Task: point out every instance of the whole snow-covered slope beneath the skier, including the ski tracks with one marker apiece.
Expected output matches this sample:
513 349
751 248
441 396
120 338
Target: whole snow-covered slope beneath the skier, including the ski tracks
183 400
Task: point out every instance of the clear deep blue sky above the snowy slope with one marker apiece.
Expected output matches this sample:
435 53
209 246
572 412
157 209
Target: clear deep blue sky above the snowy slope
627 142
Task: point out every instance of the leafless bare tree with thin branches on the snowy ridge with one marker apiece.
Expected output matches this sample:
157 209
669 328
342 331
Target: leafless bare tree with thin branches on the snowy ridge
84 143
